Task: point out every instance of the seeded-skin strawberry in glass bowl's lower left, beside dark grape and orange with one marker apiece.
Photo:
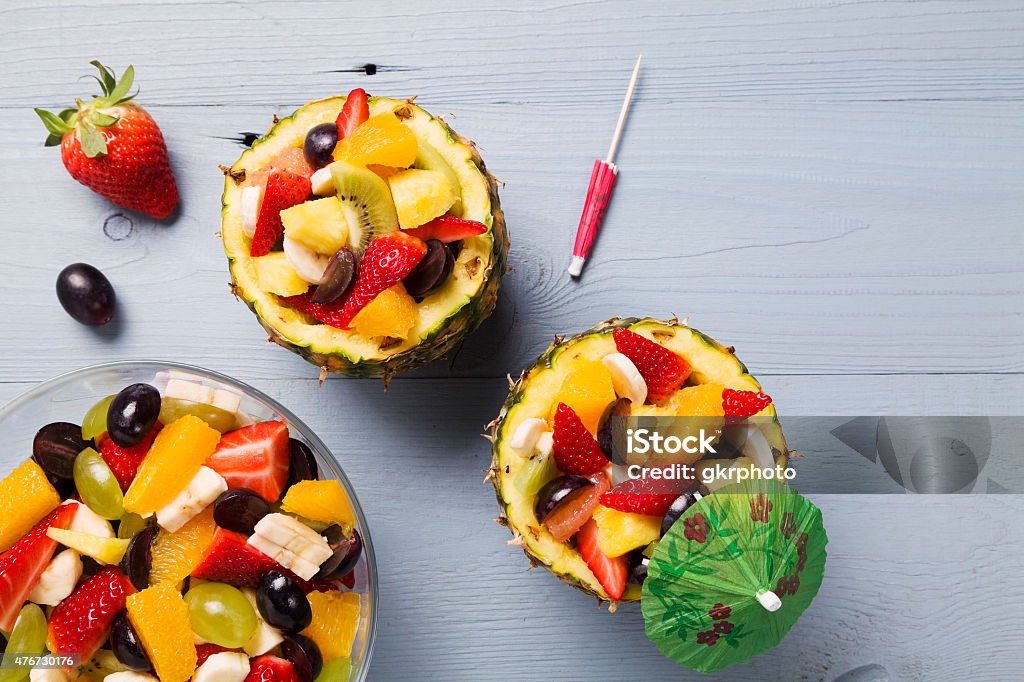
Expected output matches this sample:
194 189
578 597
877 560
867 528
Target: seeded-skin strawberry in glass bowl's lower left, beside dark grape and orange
82 623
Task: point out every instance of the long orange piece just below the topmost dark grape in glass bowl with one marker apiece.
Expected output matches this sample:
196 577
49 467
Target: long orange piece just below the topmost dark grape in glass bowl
175 459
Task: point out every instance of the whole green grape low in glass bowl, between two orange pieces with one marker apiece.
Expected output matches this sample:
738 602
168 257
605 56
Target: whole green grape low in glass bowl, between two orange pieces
221 614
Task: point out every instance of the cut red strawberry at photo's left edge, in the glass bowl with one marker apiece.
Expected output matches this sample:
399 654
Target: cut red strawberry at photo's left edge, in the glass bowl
22 566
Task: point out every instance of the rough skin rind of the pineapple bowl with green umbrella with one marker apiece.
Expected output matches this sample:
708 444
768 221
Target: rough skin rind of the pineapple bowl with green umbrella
498 435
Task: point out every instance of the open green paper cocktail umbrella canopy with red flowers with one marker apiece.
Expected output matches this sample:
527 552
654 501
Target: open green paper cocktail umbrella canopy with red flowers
734 575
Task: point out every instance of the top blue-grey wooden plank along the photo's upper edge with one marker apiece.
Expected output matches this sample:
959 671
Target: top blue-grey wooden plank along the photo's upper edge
563 54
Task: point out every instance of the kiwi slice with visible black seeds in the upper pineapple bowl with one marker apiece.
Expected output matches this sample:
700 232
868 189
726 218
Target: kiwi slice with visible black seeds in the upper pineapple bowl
367 202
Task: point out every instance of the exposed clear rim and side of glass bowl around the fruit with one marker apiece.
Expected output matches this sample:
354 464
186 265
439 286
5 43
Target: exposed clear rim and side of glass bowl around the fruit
69 397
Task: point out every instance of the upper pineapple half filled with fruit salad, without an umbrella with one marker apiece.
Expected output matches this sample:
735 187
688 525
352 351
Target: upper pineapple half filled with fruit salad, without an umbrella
365 235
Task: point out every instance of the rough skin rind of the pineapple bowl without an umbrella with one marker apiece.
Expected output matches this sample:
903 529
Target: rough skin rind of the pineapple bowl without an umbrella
444 337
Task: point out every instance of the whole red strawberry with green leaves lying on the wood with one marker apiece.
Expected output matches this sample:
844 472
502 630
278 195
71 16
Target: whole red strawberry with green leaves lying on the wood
112 146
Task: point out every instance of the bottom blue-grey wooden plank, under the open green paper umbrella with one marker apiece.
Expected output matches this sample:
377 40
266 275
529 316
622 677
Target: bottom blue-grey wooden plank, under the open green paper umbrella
910 582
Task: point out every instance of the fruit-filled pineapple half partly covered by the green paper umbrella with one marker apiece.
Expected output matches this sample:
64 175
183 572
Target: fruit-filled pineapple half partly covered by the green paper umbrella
569 506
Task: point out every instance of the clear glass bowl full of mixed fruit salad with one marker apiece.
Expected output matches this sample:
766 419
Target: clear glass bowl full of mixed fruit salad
173 524
